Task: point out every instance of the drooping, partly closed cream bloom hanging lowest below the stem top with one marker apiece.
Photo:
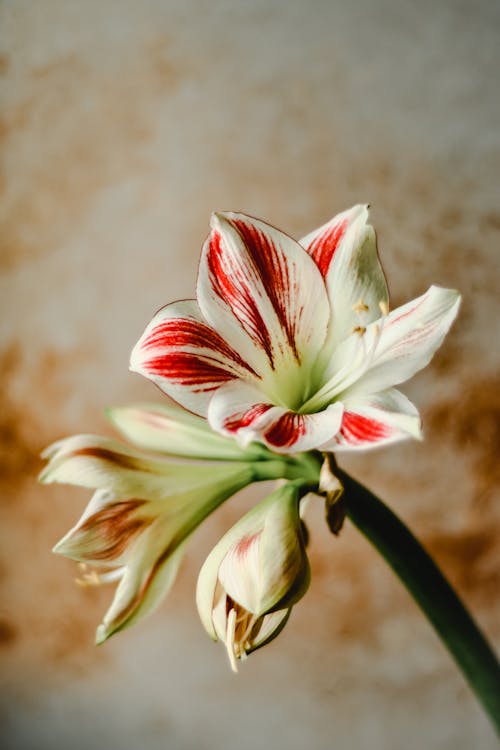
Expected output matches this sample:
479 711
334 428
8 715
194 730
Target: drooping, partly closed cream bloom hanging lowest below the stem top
254 575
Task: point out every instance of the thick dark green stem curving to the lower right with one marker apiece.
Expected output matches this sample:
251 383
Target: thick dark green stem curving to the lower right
431 591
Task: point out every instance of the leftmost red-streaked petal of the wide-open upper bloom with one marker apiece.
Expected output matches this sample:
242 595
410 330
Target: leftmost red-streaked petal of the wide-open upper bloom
186 357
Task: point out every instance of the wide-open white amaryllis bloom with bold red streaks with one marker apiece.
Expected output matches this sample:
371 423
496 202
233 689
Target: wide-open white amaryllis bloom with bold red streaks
292 344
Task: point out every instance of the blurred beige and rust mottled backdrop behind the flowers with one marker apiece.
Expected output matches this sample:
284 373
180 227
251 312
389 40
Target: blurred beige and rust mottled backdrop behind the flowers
124 125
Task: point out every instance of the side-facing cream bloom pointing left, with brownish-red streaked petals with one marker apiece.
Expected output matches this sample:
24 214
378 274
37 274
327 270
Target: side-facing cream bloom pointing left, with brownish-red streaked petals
145 508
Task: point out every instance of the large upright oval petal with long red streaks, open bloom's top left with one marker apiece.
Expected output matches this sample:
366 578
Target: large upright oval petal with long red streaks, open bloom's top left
262 292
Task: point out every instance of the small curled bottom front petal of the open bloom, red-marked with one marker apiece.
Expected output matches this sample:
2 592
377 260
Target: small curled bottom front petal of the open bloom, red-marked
238 409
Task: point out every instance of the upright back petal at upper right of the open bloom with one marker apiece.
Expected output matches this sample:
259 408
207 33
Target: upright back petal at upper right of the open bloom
345 250
